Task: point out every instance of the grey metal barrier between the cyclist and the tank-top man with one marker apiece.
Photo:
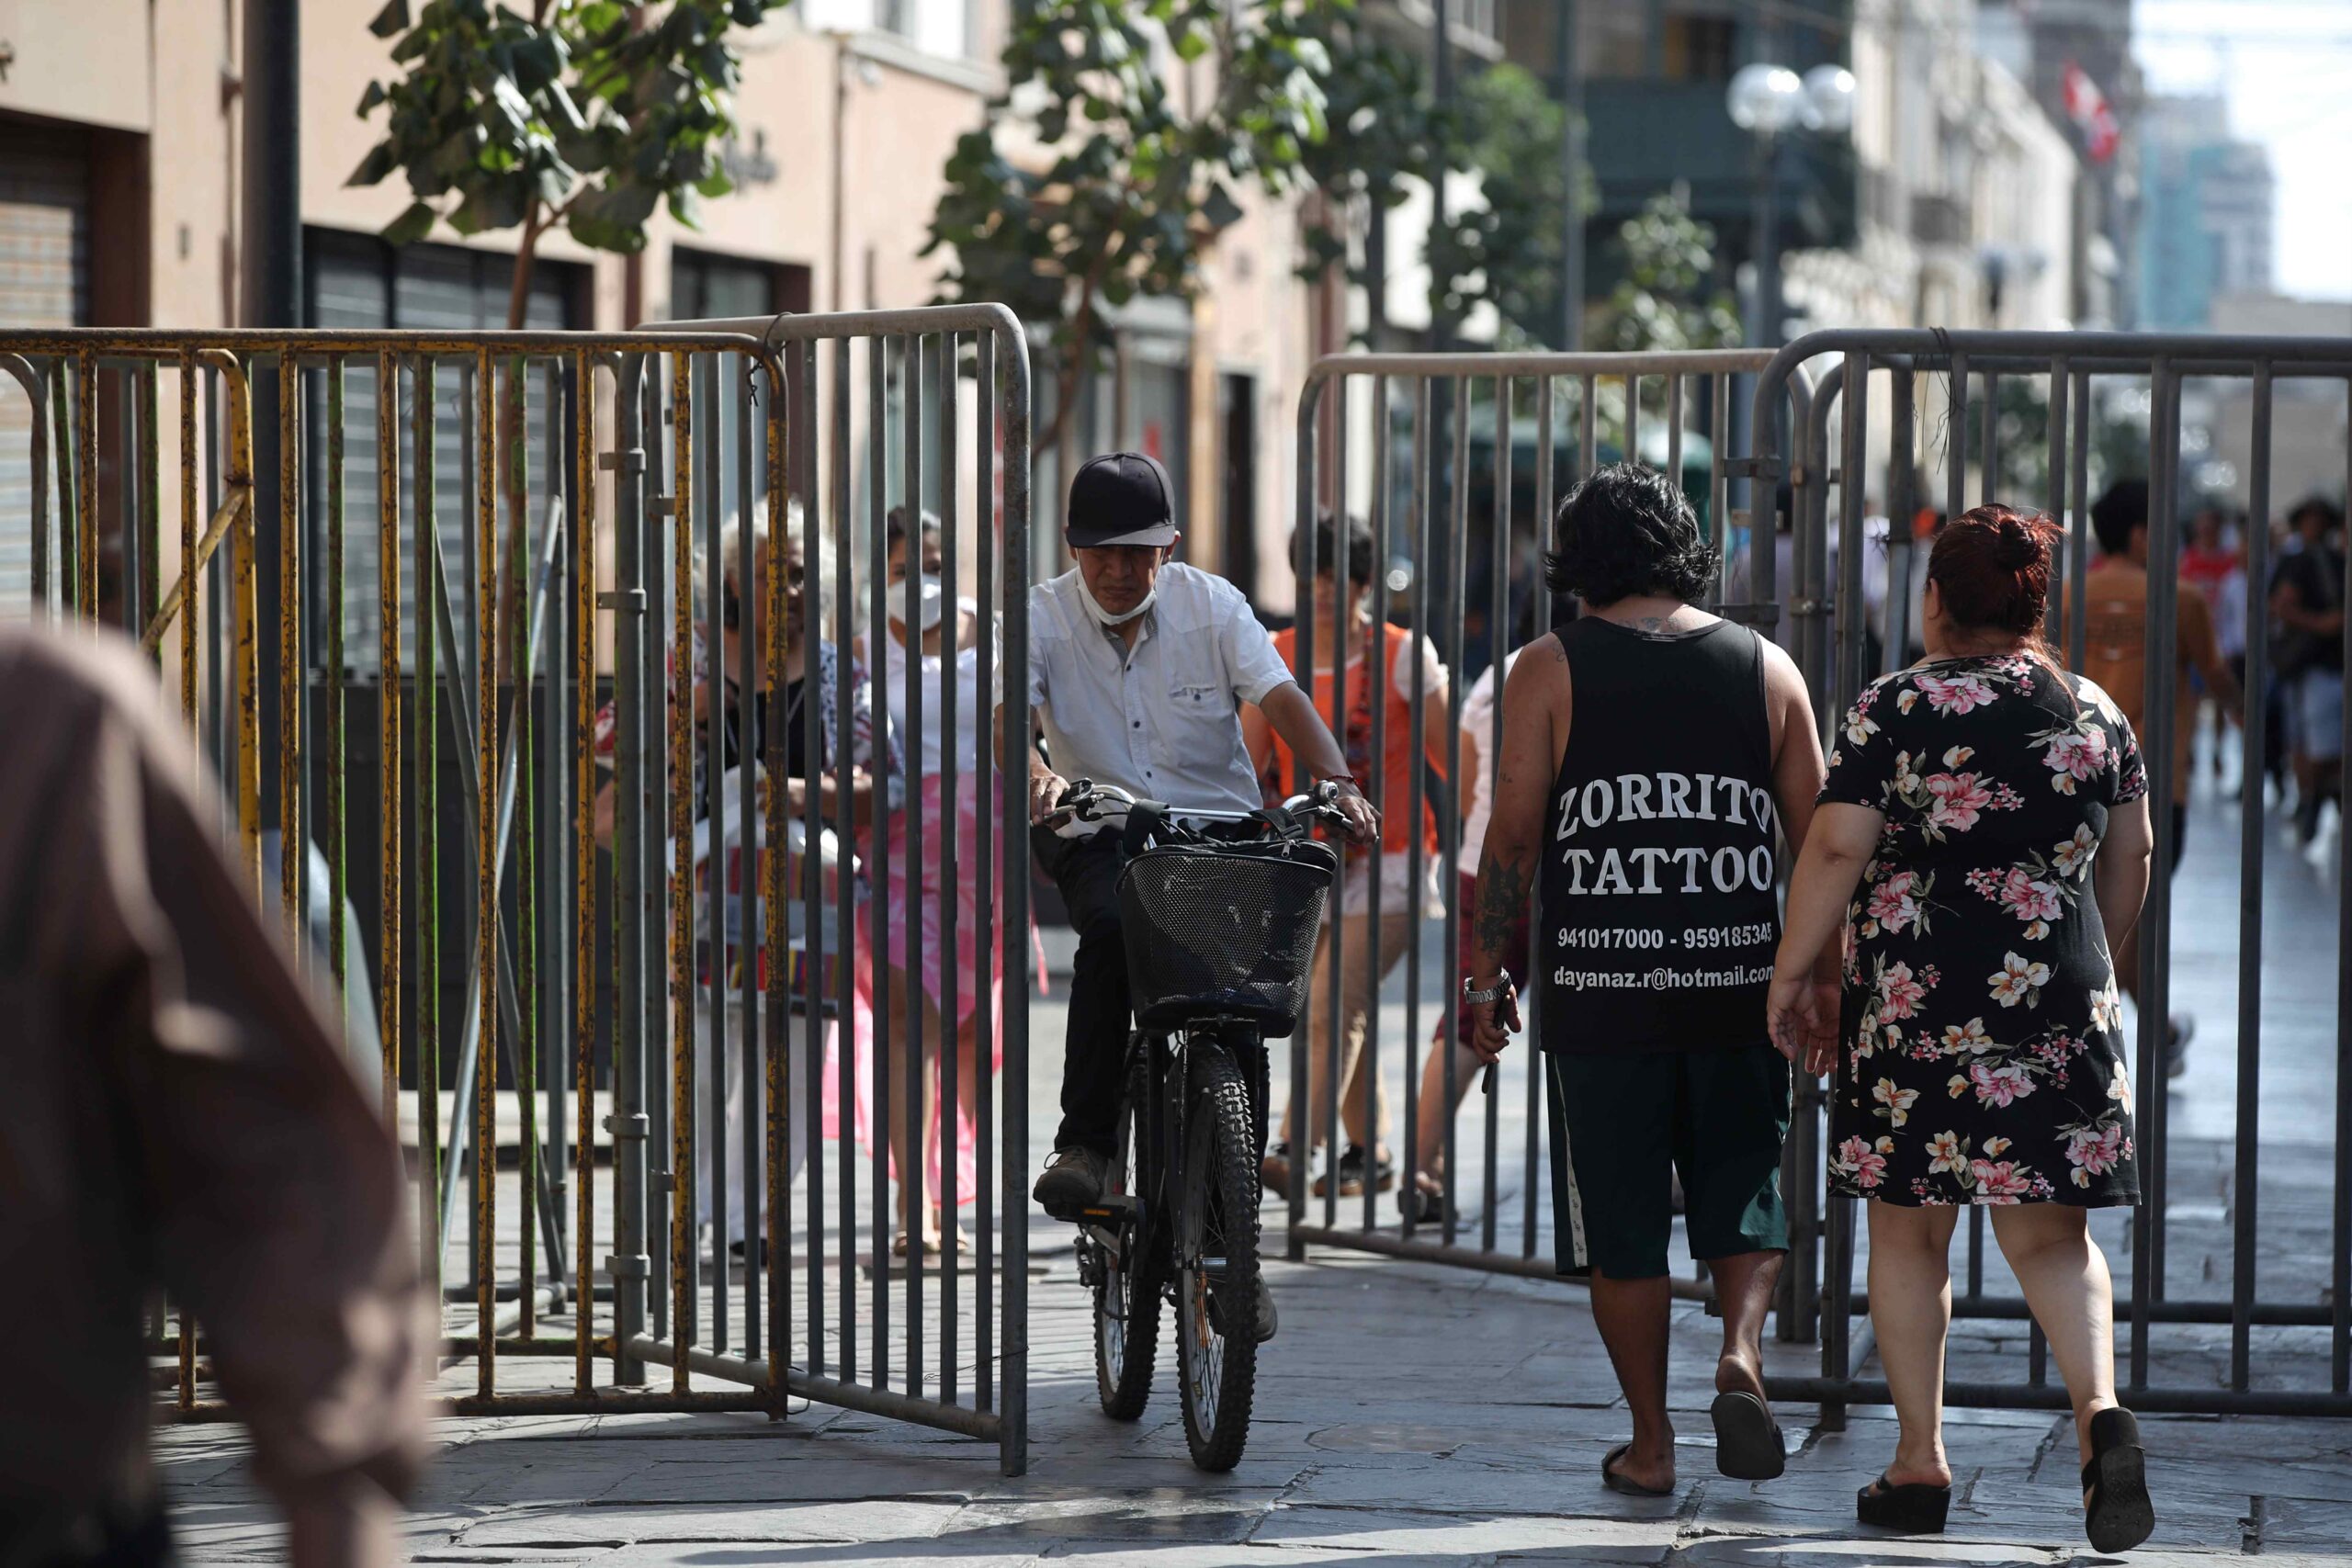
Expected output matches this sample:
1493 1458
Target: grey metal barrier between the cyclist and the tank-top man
1450 492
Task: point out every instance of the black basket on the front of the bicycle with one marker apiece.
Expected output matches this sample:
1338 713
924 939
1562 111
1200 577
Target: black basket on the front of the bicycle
1224 930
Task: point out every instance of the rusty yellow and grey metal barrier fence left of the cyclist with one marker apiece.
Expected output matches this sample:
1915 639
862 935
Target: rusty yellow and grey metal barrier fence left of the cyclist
606 984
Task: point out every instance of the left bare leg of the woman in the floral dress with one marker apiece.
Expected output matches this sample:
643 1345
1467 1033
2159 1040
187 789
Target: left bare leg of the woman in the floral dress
1911 1308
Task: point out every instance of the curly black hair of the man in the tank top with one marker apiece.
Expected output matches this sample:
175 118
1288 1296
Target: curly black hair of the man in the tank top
1626 532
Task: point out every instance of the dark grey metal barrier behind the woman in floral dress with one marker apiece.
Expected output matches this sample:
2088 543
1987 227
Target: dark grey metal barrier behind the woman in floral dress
1965 370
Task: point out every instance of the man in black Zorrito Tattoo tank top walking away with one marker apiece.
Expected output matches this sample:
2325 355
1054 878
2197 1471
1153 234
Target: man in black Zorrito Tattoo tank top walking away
1655 758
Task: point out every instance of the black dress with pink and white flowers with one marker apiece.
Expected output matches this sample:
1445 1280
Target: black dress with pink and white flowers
1984 1052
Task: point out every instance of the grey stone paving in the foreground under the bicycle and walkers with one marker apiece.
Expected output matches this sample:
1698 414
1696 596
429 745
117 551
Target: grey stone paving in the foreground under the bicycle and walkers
1405 1416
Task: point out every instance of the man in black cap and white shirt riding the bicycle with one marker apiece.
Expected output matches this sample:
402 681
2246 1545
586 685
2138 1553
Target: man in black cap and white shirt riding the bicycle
1137 676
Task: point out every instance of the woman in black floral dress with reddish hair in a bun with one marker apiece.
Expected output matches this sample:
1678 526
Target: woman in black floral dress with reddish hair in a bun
1984 843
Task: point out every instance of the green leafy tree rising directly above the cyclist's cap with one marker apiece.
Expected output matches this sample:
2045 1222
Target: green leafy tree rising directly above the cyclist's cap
1123 154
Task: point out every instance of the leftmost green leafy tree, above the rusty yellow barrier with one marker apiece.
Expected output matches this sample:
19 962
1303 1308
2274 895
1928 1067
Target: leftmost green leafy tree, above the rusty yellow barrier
580 114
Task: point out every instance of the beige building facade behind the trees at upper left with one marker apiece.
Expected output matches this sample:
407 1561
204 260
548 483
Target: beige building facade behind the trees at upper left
121 196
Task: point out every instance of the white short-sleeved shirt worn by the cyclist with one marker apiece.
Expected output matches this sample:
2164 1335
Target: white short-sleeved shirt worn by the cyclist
1161 721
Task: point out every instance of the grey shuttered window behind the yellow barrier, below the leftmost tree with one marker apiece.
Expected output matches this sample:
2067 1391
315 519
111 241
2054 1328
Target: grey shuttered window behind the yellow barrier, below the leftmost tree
359 281
